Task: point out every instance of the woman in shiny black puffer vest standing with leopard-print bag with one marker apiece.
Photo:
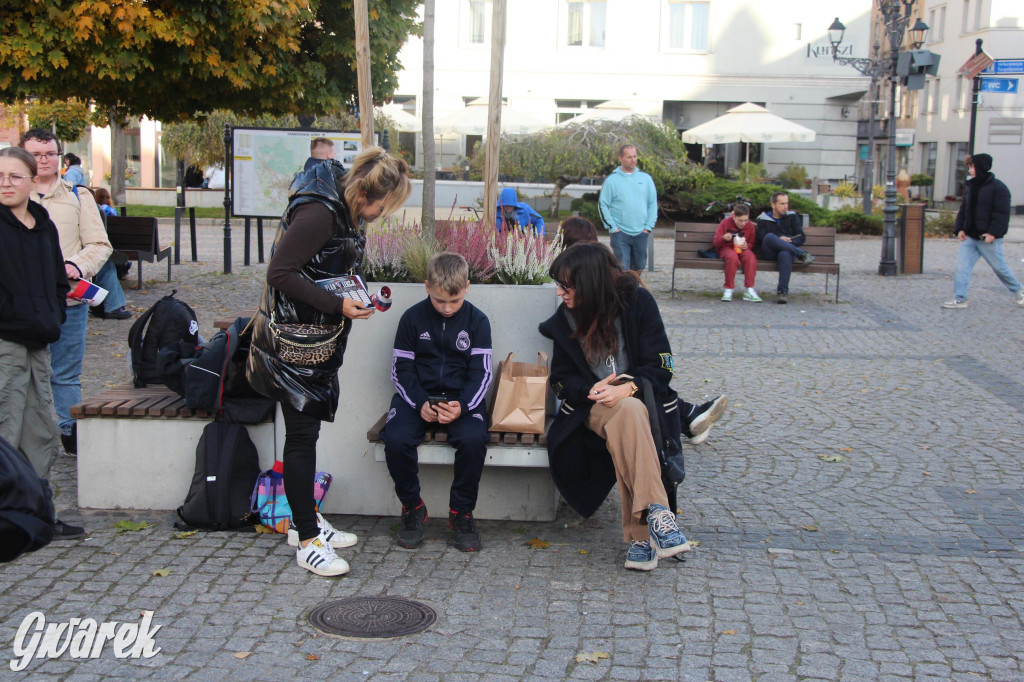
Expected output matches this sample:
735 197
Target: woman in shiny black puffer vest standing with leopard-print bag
321 236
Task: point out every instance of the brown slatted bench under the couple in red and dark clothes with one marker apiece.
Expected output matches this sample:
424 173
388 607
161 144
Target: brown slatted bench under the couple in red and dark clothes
694 237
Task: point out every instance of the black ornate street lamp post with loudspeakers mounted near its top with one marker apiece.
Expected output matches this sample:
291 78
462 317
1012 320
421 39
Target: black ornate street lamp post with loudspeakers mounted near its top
897 16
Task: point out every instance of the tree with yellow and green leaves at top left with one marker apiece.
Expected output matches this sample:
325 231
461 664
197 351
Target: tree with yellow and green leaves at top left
168 60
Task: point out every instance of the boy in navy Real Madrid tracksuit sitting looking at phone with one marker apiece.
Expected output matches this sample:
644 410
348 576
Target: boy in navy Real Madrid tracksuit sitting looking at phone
442 371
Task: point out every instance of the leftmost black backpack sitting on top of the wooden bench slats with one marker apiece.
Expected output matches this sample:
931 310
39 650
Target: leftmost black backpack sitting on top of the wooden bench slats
167 322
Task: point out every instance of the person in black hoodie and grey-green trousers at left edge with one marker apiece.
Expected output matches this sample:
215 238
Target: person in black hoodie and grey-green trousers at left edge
33 306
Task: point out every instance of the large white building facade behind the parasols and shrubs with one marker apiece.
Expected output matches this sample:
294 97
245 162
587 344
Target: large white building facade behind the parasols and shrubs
689 62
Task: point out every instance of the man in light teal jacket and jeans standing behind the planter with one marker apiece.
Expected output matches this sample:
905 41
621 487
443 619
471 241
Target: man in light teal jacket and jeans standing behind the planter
629 209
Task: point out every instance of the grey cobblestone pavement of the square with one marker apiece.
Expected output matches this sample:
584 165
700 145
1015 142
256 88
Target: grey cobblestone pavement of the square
901 561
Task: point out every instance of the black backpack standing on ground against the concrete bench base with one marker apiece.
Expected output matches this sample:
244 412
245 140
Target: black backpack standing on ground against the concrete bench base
227 470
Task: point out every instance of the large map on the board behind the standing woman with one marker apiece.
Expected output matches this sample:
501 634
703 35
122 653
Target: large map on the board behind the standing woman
266 160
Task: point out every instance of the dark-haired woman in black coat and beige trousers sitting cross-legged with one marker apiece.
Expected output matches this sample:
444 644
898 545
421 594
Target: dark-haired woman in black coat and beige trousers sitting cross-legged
610 345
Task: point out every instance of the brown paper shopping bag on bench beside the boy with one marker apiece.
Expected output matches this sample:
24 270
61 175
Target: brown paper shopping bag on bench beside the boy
521 399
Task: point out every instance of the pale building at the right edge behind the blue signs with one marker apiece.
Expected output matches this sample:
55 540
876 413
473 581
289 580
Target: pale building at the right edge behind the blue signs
944 116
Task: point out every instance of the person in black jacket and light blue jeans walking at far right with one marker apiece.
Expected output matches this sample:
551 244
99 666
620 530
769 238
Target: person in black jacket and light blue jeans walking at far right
982 224
